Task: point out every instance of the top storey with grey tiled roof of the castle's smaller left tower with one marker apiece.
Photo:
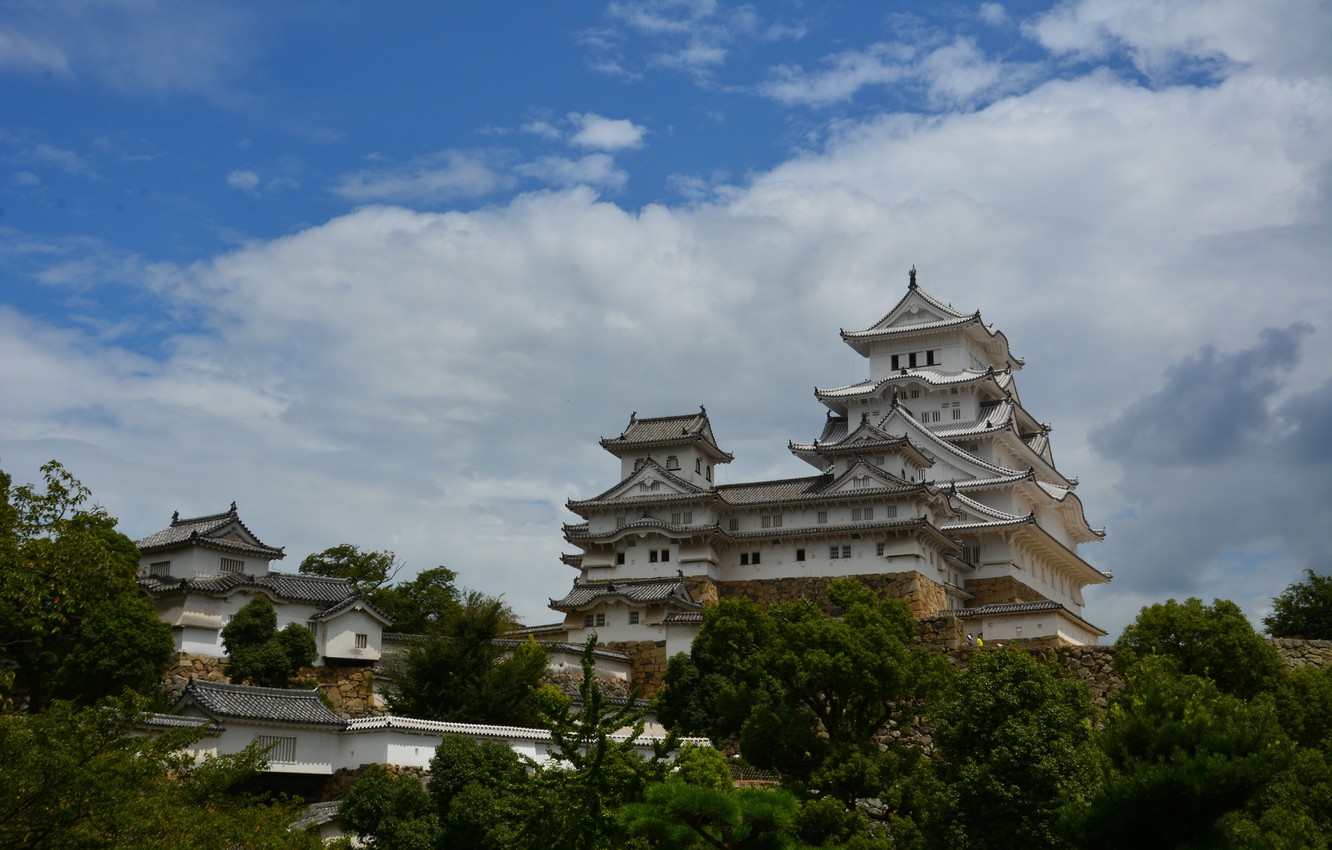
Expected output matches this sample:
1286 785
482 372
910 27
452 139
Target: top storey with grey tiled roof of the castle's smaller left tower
684 446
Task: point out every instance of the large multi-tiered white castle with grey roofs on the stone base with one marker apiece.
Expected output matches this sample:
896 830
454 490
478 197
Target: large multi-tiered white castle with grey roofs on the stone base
933 484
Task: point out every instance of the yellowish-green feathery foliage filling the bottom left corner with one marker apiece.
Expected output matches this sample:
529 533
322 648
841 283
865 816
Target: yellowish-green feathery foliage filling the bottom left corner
79 779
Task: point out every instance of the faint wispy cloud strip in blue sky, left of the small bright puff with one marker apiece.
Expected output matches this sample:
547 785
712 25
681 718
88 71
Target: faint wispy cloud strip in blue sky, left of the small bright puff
438 178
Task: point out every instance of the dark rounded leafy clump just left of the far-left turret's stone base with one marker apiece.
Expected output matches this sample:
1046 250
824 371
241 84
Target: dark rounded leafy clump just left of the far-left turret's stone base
123 644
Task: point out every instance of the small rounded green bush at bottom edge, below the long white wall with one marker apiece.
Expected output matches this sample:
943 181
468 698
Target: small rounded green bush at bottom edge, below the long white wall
391 813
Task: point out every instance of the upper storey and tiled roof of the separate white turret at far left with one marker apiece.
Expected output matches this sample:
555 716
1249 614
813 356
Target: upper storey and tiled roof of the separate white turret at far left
214 546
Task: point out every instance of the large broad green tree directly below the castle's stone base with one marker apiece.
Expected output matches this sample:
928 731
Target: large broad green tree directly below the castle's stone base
805 693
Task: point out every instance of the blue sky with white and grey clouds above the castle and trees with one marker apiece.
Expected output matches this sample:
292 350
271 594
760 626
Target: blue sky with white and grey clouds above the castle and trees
386 274
